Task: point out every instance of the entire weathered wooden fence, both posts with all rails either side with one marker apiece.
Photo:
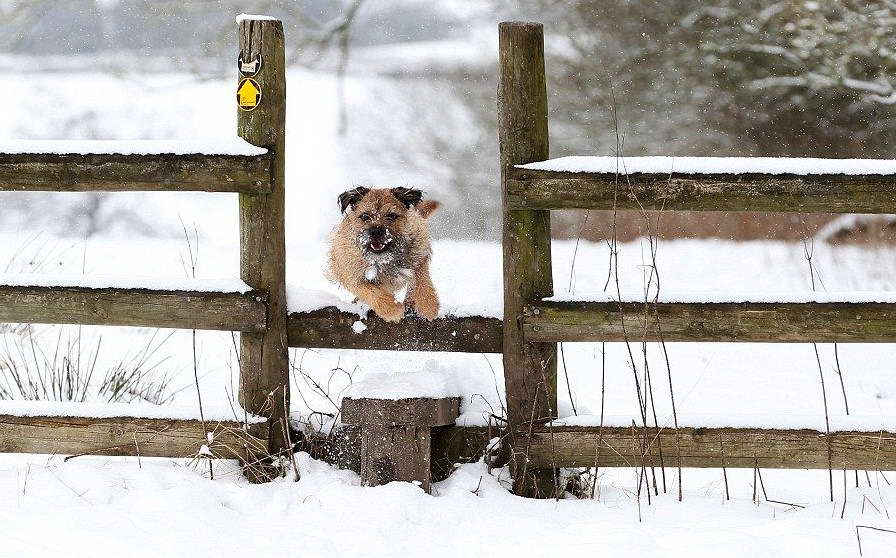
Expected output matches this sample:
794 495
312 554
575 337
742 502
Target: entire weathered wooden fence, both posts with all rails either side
526 337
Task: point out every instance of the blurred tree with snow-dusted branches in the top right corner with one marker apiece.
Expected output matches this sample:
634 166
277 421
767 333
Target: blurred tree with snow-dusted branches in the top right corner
802 78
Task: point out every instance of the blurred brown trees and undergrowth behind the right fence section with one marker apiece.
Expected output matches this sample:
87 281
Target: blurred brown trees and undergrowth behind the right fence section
725 77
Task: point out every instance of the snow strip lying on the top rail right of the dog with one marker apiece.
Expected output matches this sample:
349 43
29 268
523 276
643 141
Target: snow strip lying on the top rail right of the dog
715 165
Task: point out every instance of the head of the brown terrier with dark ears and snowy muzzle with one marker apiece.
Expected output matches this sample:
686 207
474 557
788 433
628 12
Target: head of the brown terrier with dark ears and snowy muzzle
380 218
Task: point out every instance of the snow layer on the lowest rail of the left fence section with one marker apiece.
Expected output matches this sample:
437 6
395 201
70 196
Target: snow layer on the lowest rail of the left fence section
102 409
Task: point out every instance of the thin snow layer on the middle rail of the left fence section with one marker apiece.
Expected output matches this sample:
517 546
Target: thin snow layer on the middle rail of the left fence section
124 282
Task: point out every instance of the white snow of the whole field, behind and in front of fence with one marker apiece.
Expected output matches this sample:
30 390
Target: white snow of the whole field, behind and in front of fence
101 506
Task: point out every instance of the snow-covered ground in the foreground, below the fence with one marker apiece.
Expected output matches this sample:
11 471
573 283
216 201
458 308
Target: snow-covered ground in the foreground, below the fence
93 507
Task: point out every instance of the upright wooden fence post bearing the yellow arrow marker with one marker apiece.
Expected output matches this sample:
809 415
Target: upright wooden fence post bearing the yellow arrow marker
264 357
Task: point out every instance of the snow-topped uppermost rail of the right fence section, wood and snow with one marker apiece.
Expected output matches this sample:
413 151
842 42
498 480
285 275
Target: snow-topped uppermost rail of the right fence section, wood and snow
705 184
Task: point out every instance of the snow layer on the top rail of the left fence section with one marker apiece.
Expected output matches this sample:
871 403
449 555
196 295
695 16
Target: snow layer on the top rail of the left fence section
213 146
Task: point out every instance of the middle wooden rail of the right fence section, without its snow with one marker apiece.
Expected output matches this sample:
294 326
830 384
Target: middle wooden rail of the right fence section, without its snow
729 322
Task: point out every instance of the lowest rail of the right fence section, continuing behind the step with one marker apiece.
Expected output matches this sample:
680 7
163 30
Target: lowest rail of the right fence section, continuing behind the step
622 447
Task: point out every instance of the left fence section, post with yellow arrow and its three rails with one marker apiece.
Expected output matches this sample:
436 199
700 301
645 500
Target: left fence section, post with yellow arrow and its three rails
259 315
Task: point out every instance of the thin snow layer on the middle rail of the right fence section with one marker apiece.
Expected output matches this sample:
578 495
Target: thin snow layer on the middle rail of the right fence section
721 297
